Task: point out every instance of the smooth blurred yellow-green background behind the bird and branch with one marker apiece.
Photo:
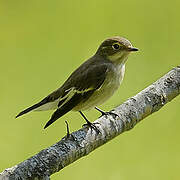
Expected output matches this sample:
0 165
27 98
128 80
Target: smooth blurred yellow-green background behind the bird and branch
42 42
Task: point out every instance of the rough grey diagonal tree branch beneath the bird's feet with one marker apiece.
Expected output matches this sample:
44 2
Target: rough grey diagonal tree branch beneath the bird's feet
85 140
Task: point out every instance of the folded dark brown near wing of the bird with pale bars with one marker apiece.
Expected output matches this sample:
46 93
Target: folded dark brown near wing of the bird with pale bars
83 85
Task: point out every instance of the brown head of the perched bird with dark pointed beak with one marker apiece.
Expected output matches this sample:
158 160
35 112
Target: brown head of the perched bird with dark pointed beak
116 49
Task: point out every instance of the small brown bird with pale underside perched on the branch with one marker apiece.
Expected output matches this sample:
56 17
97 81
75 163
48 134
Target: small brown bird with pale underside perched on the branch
91 84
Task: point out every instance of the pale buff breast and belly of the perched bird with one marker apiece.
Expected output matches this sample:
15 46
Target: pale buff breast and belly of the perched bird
110 85
